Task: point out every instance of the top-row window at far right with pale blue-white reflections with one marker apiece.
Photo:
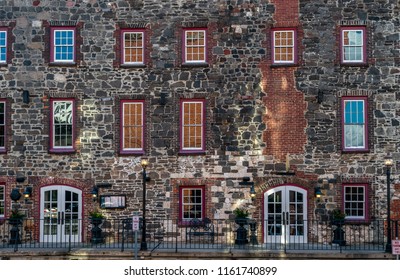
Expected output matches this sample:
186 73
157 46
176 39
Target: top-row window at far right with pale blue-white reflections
353 45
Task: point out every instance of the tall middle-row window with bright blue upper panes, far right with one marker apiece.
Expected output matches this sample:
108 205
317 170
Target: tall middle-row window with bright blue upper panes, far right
354 124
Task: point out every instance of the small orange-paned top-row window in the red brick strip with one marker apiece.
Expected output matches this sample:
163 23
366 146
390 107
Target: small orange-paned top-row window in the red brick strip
284 46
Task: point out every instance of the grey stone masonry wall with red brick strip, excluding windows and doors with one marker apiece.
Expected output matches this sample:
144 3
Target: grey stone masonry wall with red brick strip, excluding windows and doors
275 124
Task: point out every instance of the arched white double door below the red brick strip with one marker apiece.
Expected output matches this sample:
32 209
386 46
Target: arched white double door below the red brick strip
285 212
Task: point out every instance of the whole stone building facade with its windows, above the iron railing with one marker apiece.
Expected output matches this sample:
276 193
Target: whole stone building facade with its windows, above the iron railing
296 95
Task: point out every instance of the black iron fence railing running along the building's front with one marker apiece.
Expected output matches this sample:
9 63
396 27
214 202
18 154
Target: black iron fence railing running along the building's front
177 235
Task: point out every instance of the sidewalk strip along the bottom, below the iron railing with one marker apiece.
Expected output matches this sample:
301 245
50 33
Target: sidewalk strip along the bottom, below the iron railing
185 254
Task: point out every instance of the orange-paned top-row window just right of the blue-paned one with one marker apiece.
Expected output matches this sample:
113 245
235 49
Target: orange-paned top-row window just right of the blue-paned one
132 47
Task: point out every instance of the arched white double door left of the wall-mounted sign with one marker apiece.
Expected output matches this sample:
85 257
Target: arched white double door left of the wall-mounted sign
60 214
